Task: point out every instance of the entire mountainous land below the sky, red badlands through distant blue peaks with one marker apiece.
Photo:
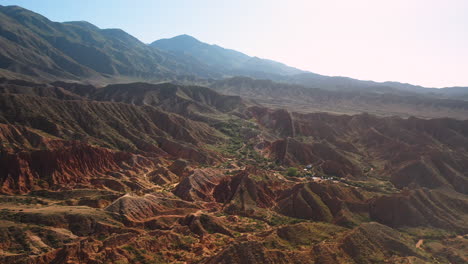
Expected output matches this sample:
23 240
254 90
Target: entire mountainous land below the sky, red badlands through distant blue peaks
115 151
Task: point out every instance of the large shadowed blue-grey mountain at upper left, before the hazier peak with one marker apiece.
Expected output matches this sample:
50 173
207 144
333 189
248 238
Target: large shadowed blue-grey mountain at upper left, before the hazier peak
35 46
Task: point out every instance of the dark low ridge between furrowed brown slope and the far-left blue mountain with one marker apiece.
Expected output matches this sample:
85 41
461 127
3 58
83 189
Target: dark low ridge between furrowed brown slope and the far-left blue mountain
187 100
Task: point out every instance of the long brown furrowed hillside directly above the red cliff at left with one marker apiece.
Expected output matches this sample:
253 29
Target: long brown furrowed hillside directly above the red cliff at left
115 125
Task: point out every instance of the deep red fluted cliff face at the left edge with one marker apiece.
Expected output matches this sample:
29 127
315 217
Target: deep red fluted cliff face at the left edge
68 164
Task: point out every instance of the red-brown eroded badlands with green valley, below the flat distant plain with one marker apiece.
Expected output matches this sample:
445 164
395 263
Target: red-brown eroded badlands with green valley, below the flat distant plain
168 174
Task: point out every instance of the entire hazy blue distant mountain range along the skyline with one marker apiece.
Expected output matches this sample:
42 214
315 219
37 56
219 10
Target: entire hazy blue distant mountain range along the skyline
35 48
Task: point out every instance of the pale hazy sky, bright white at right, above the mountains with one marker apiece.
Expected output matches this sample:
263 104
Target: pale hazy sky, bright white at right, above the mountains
422 42
